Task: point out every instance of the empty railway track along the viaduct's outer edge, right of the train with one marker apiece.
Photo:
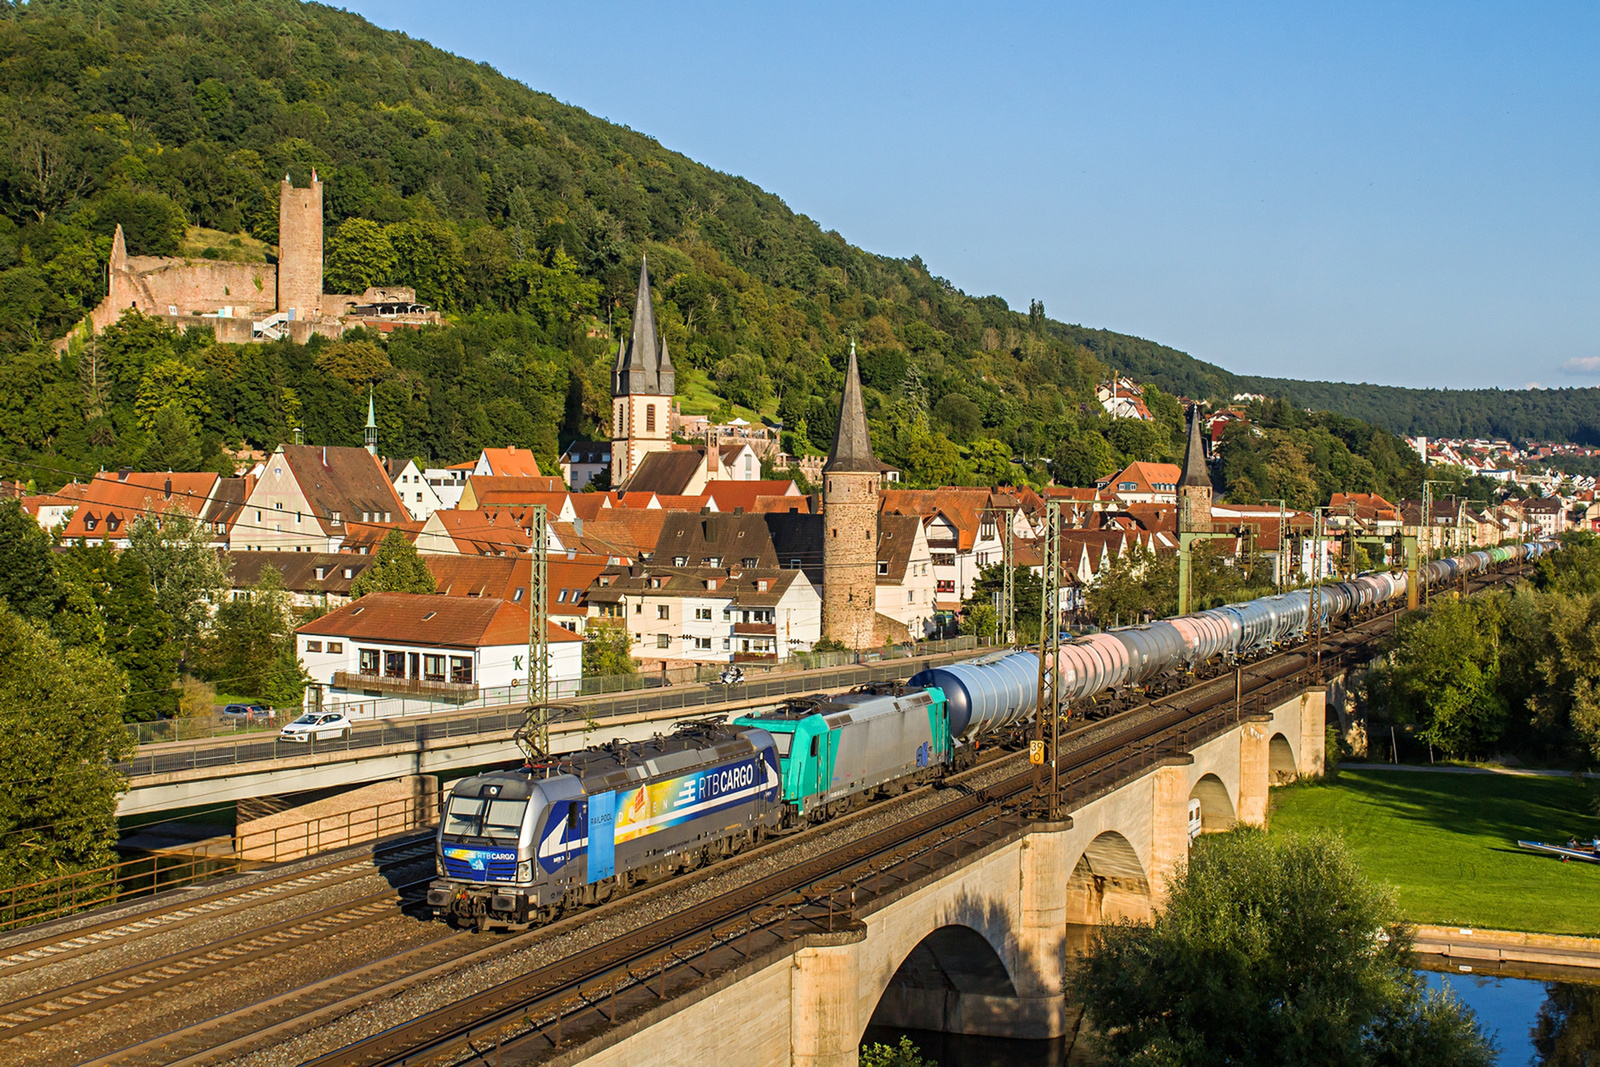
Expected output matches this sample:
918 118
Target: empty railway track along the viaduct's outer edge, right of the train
540 1013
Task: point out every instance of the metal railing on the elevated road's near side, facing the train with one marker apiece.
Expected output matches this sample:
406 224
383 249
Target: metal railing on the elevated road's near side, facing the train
658 703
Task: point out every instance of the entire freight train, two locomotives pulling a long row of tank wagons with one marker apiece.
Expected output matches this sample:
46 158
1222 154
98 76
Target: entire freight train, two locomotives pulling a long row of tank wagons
518 849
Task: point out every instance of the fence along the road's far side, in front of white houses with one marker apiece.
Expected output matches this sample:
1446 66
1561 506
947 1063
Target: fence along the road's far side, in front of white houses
378 708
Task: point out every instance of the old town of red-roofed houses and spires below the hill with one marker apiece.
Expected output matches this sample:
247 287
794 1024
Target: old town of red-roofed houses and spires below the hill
678 535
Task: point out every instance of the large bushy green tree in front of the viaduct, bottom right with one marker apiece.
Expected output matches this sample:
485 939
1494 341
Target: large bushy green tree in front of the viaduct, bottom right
1273 953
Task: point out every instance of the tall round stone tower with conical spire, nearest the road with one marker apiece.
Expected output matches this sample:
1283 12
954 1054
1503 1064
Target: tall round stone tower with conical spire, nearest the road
850 524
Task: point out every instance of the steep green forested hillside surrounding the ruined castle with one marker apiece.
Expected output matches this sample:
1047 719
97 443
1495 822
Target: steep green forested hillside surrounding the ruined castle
521 218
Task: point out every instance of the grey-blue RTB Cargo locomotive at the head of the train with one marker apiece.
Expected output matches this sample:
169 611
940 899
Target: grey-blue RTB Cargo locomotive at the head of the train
519 847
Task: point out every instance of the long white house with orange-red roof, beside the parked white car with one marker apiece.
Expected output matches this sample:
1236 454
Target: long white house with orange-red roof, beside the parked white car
428 647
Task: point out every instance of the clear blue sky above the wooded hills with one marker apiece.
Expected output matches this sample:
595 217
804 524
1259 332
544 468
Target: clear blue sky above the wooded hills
1401 194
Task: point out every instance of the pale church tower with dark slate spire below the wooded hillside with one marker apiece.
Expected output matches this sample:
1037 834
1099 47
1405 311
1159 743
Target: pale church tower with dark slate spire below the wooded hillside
642 386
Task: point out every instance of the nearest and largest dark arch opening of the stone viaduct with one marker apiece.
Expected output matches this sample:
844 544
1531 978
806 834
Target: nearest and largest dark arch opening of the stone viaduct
953 981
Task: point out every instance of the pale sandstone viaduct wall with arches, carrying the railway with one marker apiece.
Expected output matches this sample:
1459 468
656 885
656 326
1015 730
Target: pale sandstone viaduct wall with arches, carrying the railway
982 945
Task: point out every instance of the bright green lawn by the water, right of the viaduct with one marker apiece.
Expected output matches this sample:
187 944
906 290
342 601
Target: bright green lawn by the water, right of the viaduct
1449 844
